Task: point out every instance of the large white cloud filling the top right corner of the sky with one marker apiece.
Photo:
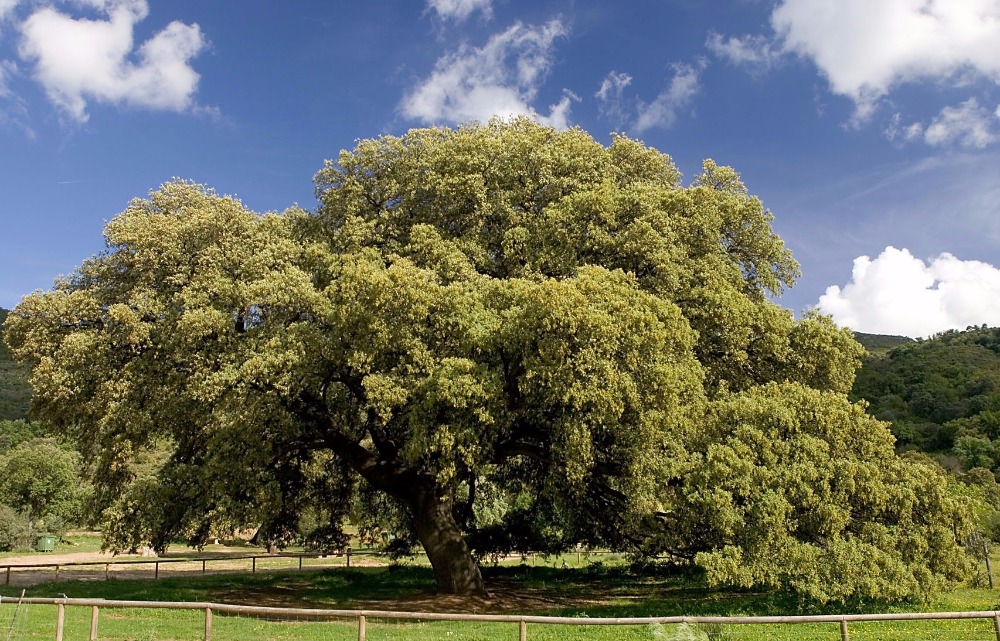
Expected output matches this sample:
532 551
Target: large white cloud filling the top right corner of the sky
867 48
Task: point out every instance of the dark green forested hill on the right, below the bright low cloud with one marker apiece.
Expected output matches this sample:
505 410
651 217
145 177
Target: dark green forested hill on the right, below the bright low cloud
942 395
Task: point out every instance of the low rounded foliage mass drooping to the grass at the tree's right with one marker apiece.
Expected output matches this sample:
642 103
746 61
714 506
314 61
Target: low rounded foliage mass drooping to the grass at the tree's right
794 487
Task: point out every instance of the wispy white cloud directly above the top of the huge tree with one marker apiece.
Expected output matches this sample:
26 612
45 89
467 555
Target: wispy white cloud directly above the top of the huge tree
501 78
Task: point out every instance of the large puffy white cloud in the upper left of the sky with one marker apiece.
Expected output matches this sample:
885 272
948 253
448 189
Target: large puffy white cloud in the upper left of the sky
77 60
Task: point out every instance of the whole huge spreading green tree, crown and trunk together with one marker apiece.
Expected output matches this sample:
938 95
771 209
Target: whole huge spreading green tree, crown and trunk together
495 338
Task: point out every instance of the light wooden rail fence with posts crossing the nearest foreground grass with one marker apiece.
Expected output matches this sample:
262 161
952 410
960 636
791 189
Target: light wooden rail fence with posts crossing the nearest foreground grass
522 621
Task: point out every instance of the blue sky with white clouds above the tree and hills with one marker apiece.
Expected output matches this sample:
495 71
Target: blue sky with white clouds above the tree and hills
870 128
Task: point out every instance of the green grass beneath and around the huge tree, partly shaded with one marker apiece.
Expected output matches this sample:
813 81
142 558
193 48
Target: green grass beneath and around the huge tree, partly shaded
597 590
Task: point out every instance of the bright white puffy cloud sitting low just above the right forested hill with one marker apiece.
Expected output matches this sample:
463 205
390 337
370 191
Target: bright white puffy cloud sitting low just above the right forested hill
897 293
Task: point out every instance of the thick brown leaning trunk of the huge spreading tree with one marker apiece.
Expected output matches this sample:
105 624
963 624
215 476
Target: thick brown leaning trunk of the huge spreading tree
455 571
